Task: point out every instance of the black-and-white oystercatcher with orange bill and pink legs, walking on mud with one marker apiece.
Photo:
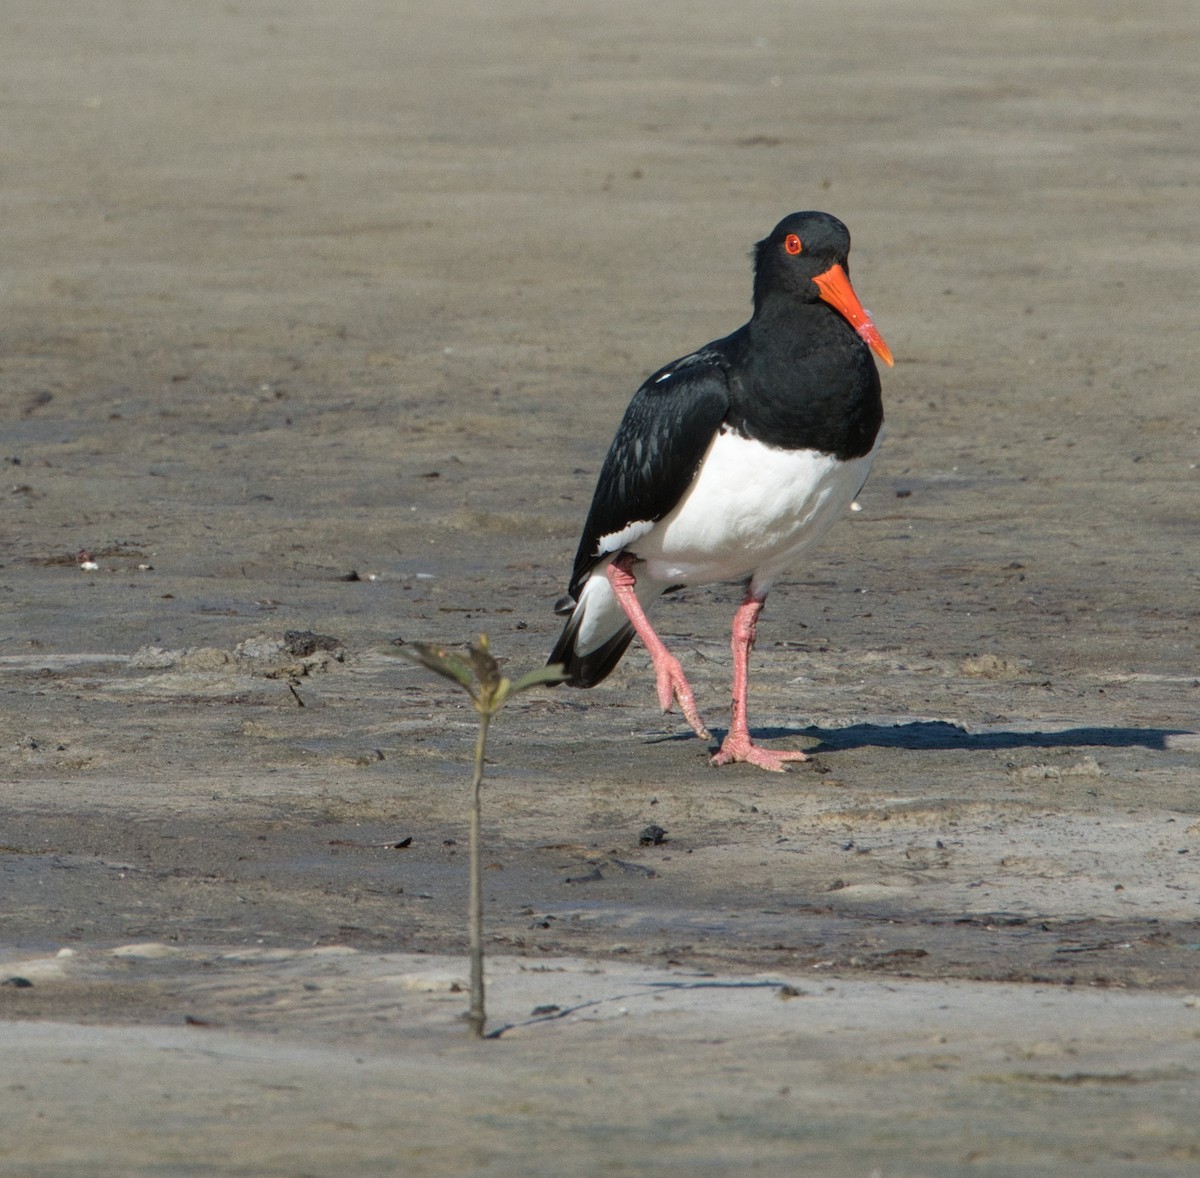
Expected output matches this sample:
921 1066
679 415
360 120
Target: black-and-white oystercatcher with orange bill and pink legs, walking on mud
729 464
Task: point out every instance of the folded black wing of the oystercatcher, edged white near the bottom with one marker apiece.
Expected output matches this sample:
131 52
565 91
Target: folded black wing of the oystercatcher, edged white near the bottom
653 459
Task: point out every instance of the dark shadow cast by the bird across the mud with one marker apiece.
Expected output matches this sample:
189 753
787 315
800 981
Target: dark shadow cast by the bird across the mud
941 736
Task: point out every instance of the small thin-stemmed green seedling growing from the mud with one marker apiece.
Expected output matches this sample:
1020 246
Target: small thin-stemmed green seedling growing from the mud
479 676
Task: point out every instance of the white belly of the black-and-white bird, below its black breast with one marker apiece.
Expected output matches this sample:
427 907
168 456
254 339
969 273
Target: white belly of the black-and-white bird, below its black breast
749 513
